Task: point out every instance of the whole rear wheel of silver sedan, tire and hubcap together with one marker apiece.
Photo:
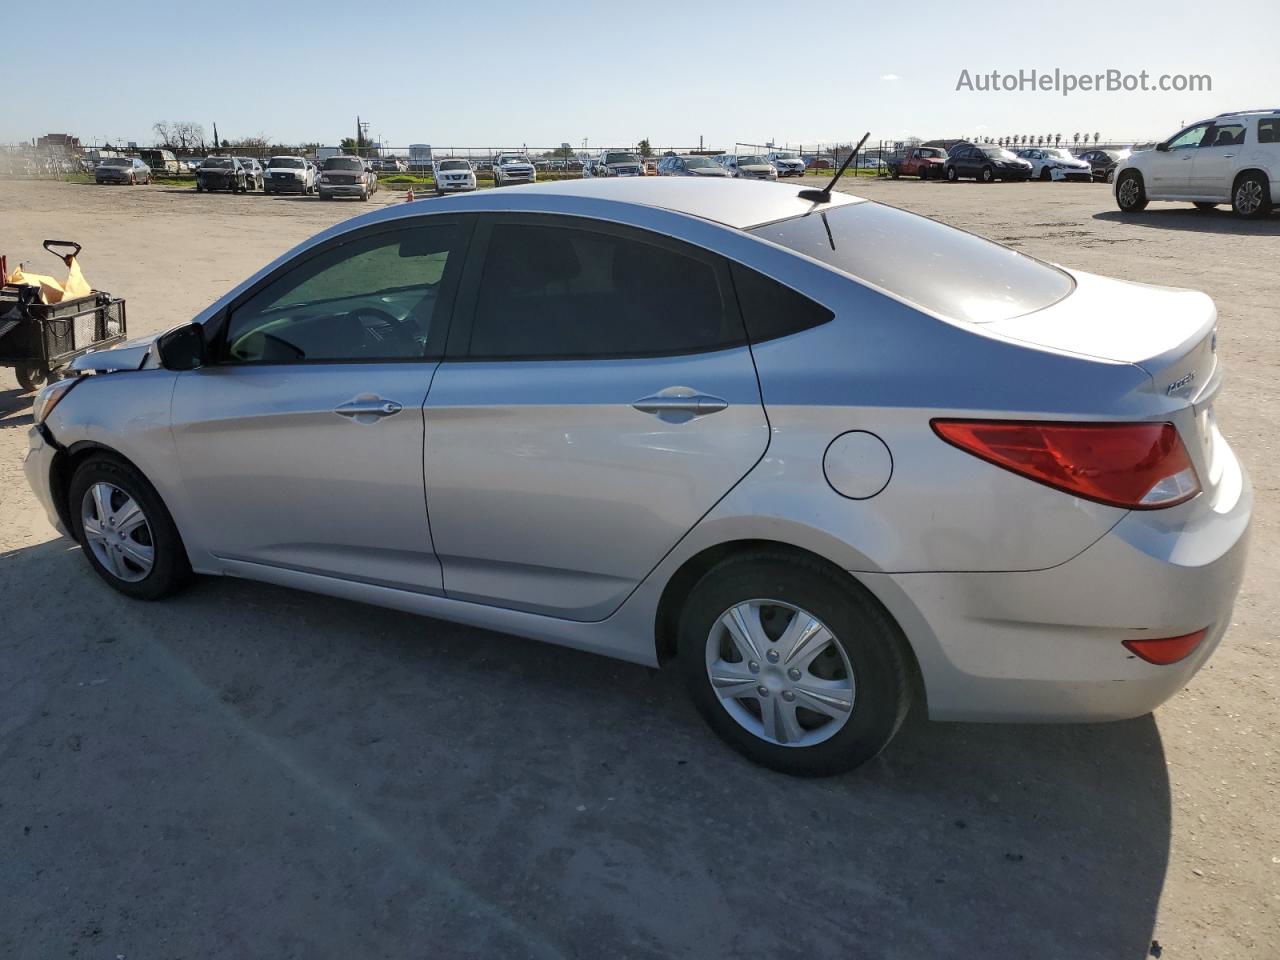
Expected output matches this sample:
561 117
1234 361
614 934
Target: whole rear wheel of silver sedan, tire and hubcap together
793 665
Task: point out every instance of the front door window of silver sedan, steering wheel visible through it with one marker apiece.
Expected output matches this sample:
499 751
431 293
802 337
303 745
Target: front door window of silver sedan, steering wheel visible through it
374 298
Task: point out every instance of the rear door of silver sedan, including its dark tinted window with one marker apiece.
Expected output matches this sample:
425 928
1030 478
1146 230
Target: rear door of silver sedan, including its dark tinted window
597 400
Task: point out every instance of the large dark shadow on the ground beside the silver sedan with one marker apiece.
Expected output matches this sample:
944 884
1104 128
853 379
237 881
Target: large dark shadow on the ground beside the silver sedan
350 780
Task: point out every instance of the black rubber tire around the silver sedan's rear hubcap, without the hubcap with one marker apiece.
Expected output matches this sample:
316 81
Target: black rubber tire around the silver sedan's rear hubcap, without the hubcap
865 632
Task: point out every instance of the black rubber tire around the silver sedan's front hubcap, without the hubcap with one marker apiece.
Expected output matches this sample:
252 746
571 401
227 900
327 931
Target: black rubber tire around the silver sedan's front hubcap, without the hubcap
171 569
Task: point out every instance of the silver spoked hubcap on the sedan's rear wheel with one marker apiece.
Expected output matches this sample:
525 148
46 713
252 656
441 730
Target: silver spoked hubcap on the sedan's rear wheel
780 674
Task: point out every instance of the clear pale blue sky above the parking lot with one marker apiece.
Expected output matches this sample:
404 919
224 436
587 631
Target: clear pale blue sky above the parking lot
541 74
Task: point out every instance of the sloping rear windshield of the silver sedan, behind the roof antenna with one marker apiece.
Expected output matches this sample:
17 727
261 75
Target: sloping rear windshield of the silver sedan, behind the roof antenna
939 268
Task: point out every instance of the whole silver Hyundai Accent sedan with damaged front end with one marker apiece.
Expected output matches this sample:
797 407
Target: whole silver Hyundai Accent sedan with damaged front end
724 427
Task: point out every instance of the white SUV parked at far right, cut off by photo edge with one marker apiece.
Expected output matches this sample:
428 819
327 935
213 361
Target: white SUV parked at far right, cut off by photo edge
1232 159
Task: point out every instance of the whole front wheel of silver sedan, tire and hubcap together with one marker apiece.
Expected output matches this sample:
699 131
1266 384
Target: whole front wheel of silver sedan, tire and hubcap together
127 534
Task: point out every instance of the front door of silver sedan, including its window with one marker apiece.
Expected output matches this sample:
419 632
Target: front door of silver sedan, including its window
301 445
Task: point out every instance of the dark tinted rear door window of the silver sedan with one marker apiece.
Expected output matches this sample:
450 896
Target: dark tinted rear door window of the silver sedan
573 292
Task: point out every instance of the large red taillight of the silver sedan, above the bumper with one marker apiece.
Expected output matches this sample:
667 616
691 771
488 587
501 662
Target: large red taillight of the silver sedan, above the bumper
1139 467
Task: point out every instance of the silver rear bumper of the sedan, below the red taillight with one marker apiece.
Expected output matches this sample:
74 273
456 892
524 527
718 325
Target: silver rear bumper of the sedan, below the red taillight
1048 646
